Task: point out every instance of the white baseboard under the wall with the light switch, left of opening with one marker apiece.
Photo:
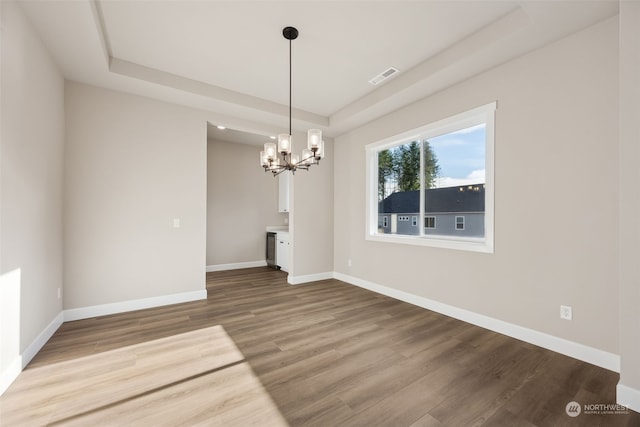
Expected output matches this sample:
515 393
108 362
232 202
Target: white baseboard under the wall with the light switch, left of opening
139 304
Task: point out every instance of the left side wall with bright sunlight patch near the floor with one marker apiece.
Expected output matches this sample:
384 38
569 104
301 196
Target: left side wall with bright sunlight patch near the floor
31 156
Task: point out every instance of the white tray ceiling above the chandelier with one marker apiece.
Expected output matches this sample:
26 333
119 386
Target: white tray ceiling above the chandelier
229 57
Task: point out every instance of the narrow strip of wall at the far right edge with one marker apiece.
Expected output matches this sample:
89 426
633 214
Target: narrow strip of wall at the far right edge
629 203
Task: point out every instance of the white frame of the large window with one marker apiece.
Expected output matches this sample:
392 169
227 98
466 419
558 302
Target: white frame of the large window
483 114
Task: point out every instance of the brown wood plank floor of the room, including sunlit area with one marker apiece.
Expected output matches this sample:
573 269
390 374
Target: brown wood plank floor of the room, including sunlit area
261 352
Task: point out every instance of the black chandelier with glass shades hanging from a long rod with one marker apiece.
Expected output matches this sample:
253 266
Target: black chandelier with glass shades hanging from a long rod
278 158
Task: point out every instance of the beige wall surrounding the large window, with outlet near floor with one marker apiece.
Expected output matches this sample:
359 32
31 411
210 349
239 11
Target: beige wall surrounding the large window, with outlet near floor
556 235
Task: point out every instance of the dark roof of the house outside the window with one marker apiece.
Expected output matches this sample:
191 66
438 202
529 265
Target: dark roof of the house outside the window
464 198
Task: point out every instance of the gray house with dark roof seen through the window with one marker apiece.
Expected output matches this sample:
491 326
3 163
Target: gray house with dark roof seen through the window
449 211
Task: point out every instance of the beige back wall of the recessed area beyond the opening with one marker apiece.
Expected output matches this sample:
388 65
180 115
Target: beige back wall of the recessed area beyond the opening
242 200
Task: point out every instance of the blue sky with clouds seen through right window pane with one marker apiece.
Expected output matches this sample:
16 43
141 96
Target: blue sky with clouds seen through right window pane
461 156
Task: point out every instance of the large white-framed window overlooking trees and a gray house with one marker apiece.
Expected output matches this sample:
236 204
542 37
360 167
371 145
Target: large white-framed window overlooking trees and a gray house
442 170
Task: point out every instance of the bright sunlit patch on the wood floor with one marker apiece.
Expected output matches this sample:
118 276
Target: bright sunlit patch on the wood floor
198 377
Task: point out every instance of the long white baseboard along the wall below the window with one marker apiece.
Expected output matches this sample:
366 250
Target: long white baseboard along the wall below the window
578 351
